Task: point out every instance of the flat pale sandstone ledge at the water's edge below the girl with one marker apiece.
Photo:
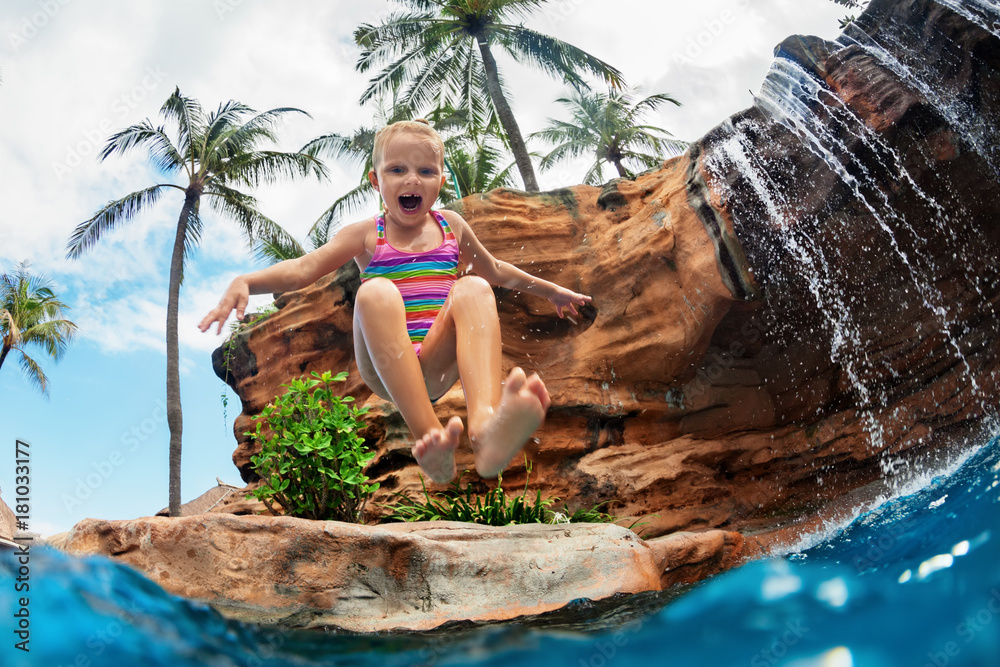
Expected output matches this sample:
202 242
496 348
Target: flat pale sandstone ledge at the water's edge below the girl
310 574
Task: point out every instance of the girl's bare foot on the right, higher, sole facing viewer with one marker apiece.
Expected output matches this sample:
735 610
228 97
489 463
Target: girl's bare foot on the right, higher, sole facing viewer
501 435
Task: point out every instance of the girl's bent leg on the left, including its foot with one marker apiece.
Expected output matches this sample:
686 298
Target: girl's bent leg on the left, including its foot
383 346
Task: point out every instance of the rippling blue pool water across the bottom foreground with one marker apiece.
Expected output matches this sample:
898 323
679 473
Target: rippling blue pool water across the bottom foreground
914 580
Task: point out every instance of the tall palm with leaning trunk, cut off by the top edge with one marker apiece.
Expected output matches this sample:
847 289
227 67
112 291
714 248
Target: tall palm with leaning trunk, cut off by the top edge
441 52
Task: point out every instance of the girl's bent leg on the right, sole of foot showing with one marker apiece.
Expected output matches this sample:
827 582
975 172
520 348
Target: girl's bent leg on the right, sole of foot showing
466 336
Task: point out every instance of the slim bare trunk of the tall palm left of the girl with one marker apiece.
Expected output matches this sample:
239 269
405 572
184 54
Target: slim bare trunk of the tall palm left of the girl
174 416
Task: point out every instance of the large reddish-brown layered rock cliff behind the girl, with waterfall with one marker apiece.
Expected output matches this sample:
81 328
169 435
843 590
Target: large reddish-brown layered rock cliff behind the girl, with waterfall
802 304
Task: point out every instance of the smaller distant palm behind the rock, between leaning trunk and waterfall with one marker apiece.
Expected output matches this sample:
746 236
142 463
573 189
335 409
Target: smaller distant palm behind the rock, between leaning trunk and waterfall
606 125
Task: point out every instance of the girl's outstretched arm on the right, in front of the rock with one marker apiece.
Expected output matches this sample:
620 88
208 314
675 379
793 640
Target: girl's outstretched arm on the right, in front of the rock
503 274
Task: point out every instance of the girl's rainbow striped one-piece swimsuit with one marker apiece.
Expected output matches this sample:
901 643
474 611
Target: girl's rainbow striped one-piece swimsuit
423 278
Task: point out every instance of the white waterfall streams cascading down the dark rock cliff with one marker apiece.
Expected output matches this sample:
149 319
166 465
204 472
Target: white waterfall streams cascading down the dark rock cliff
850 151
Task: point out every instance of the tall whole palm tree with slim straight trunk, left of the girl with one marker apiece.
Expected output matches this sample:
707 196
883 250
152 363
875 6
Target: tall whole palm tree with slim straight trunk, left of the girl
217 154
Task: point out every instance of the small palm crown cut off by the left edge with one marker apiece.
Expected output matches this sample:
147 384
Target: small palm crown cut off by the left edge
31 315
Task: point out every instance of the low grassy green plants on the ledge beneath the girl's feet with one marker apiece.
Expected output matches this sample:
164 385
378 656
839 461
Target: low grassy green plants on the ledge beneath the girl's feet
492 509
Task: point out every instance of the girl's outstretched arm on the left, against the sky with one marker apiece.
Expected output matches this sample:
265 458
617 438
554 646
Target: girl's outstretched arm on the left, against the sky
289 275
